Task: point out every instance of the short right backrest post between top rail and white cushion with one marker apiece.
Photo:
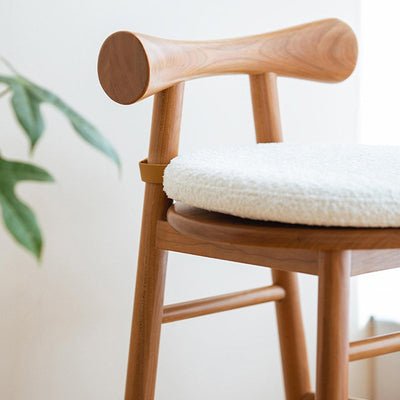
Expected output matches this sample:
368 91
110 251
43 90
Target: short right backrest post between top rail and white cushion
264 97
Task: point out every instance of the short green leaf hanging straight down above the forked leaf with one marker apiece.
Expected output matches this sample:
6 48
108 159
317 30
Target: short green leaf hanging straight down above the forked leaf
27 110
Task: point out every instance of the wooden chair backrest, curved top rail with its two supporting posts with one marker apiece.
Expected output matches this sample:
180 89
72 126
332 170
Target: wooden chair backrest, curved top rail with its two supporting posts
133 66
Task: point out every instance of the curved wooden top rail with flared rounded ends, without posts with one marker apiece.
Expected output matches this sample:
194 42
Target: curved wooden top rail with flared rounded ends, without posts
133 66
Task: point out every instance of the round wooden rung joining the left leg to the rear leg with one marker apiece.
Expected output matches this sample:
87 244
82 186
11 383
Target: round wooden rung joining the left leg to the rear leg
225 302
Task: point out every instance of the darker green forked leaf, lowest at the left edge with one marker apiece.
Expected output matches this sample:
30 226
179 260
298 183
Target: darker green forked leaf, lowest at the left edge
18 218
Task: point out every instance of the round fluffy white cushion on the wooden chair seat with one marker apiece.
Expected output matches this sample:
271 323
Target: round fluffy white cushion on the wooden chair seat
311 184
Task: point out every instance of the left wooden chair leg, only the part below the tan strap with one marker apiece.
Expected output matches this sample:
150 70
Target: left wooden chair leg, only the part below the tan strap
148 307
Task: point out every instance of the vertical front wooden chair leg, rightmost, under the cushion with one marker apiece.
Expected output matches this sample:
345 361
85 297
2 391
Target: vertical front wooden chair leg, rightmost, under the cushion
333 336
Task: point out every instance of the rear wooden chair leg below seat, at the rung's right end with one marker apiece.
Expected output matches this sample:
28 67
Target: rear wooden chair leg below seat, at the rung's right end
291 336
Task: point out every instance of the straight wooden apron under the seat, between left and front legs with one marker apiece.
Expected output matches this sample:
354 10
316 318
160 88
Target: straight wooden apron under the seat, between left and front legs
305 261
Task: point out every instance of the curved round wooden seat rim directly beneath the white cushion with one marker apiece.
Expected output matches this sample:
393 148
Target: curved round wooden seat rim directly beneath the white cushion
203 224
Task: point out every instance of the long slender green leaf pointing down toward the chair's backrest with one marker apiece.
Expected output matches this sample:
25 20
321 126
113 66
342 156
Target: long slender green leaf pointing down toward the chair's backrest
84 128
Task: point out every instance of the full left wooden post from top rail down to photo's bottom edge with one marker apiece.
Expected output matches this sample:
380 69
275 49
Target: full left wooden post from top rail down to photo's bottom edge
150 281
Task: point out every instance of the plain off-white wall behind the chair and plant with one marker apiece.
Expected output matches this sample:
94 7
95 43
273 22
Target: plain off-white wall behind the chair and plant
64 326
